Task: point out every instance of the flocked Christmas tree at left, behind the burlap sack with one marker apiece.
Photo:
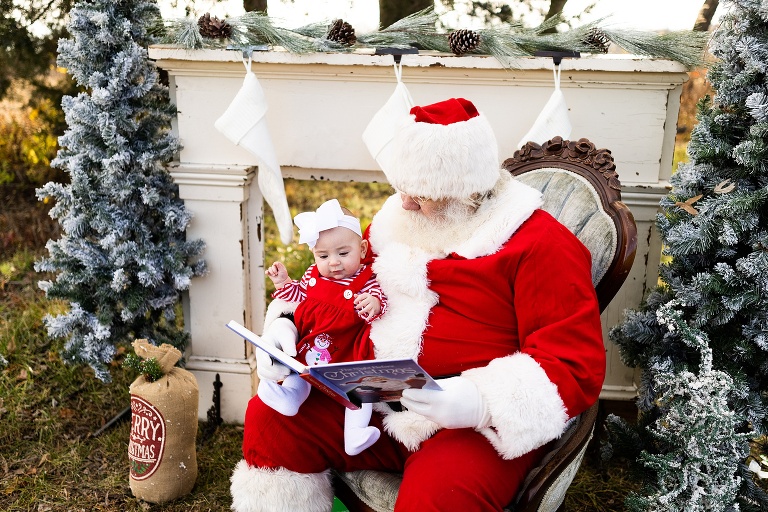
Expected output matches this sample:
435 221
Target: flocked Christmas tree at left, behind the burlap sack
122 259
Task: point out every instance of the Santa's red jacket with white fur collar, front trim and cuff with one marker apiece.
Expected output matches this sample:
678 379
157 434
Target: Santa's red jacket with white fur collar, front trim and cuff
507 301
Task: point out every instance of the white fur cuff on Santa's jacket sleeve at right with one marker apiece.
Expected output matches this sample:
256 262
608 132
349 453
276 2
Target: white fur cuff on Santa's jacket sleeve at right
526 409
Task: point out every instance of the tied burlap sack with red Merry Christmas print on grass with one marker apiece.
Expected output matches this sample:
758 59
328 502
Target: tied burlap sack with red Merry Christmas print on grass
163 428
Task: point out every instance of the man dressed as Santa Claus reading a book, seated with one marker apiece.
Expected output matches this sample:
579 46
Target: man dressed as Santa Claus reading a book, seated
482 284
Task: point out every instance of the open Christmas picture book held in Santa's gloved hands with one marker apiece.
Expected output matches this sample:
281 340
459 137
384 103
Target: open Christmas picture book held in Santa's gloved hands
354 383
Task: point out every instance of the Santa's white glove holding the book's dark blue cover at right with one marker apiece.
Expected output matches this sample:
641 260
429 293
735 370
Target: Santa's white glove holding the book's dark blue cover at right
458 405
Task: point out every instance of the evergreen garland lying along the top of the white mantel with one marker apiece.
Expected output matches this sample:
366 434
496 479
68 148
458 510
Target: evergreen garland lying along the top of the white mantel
505 42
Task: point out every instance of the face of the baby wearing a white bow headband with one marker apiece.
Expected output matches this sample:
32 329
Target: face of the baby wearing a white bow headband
338 252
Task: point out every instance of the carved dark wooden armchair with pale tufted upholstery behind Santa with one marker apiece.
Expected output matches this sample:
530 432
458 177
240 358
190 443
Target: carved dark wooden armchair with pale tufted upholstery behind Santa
582 190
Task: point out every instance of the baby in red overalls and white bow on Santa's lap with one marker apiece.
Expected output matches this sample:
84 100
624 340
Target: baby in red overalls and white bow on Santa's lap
338 297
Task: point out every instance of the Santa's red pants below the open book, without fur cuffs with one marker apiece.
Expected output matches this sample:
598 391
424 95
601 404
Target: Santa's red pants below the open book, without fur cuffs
453 470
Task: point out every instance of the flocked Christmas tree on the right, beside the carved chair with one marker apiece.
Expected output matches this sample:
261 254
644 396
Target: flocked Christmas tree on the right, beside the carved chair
701 339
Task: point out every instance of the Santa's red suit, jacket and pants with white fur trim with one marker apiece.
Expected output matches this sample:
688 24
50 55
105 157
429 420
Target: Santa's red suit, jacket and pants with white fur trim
507 301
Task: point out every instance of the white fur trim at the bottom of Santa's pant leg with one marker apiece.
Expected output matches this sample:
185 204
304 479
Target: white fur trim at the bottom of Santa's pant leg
275 490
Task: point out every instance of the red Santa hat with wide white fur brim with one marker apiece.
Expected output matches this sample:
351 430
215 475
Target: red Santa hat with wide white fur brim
444 150
